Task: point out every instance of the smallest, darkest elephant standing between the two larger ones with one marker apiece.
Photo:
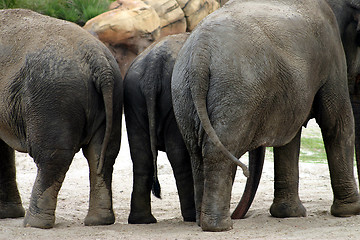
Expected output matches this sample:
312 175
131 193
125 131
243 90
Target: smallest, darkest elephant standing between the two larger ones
151 127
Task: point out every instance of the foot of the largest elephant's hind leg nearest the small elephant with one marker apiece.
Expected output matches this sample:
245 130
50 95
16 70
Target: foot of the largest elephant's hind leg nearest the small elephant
215 224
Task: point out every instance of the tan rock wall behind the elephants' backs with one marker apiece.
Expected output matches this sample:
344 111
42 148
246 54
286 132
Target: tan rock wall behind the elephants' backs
132 25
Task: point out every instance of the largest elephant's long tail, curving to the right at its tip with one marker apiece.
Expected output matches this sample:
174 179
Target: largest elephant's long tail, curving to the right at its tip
200 72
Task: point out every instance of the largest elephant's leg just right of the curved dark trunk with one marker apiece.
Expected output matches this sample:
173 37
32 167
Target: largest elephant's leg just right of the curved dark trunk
286 201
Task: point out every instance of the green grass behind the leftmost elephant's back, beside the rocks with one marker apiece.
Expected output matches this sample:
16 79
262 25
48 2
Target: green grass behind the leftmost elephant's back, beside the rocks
78 11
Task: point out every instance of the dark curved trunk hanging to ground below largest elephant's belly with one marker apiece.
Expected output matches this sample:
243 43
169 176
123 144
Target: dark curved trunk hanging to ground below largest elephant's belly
256 163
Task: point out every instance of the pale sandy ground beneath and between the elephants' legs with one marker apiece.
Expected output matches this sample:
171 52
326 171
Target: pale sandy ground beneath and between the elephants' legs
315 192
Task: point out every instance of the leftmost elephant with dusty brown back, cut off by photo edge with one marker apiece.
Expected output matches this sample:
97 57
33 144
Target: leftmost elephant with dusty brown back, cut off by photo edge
61 90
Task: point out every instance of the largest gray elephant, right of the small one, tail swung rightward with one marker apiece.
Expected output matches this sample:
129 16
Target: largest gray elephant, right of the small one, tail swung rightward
282 63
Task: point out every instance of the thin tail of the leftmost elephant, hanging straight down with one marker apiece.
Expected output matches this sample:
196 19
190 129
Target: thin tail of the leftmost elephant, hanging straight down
107 90
